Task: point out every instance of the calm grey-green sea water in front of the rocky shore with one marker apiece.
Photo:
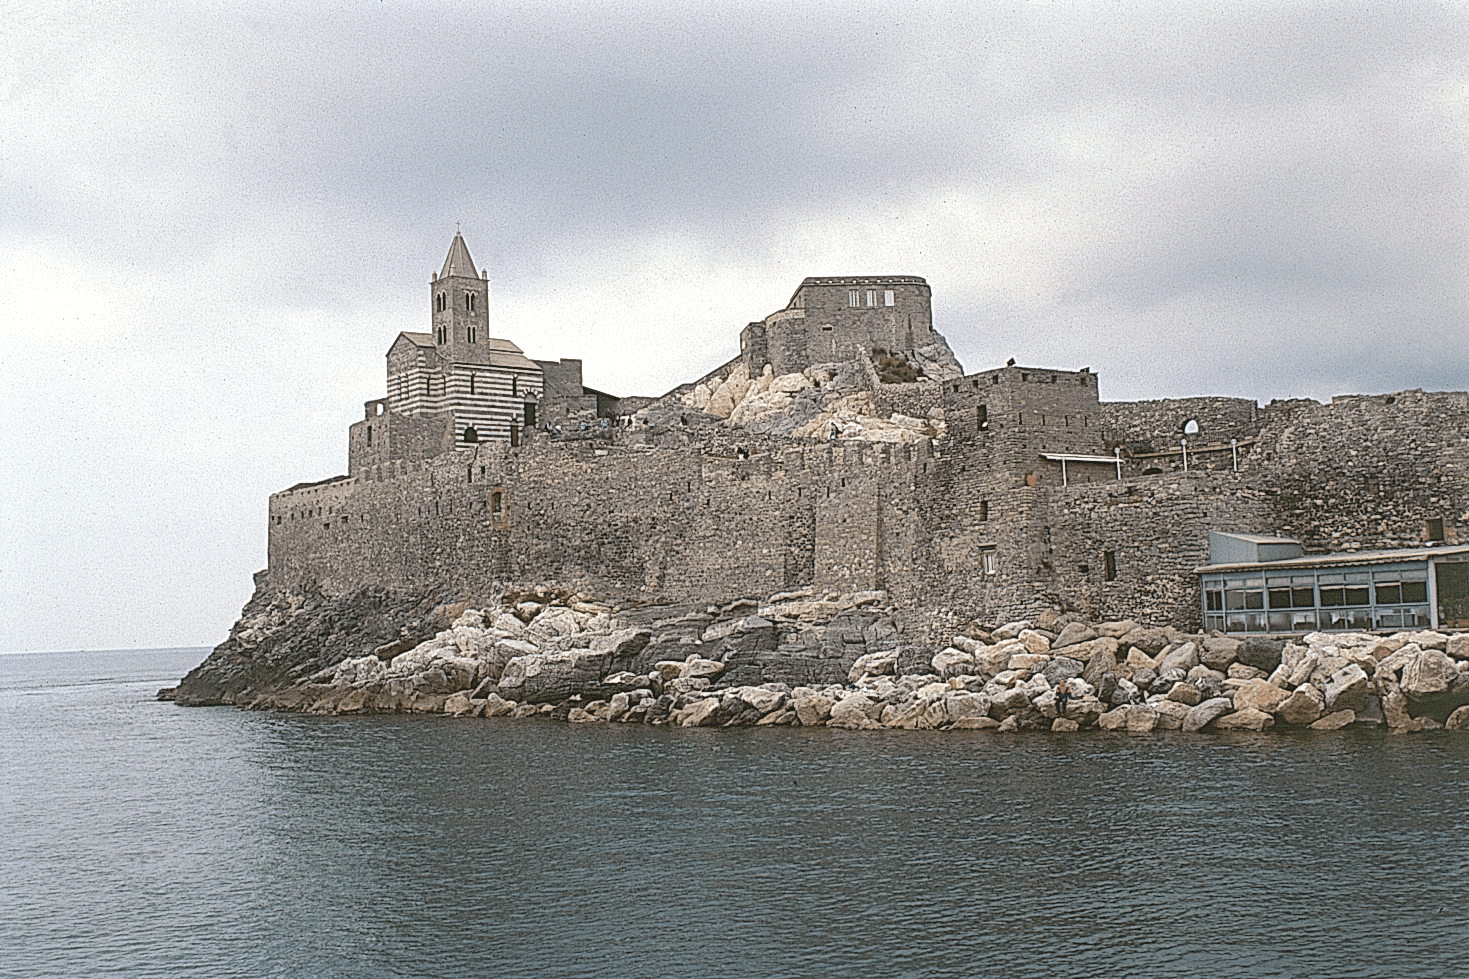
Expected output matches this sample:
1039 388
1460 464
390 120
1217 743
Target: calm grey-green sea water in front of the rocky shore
149 840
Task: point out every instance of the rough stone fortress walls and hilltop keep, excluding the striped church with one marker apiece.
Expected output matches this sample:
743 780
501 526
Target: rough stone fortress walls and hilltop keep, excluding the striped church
978 523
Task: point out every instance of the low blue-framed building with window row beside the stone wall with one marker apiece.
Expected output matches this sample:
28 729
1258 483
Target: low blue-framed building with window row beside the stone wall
1266 584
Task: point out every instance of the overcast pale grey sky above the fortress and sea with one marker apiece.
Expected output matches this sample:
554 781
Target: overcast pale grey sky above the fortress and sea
215 218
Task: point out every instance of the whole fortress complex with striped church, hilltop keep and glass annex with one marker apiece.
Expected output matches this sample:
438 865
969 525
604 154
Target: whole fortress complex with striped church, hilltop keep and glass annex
845 451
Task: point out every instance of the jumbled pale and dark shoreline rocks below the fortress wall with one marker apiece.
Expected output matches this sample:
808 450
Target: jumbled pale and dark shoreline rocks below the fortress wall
810 661
